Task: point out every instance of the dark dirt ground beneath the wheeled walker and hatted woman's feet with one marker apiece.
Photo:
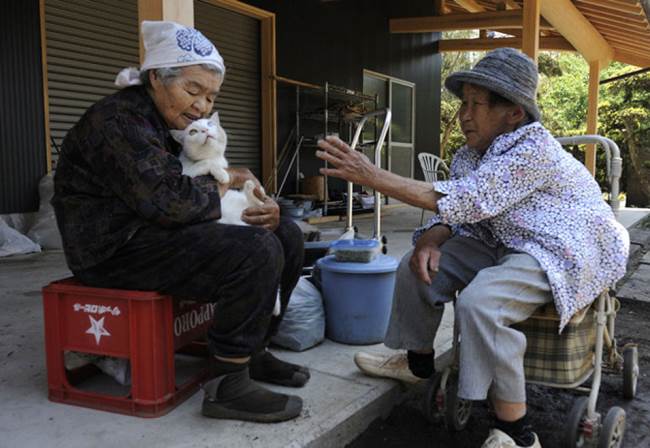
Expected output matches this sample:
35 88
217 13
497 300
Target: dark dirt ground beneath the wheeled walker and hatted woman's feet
548 408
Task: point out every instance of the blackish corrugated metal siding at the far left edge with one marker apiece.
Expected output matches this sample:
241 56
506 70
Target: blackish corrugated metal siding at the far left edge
22 129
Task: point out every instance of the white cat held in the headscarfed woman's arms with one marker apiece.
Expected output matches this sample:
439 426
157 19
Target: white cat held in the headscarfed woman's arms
204 145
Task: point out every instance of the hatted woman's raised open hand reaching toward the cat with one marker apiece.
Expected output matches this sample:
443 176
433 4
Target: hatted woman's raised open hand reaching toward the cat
350 165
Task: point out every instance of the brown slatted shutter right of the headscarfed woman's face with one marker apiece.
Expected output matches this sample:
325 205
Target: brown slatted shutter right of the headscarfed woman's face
237 37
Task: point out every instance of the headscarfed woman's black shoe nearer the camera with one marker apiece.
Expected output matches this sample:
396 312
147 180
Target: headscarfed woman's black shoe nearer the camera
234 396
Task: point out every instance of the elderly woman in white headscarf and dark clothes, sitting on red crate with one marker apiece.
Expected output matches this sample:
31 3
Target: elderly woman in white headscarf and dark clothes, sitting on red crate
131 219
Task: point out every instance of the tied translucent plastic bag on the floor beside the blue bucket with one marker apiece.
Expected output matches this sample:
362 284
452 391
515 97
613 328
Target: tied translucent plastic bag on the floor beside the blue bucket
303 325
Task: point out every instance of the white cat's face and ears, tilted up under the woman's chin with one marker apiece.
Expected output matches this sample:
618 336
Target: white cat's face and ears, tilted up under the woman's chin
203 139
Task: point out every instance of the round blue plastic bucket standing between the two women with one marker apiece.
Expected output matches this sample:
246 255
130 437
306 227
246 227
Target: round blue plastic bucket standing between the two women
358 298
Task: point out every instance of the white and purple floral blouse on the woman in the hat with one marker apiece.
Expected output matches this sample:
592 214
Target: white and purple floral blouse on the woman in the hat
527 193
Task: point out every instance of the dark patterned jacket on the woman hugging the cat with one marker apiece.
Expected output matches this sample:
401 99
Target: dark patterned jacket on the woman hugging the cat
118 171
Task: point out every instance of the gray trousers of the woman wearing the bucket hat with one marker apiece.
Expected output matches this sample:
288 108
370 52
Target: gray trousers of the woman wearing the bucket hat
499 287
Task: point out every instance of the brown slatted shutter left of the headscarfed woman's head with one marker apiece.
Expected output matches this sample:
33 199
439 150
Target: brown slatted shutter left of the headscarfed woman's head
88 43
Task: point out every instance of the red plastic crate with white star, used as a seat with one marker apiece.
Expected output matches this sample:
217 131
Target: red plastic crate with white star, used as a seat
145 327
